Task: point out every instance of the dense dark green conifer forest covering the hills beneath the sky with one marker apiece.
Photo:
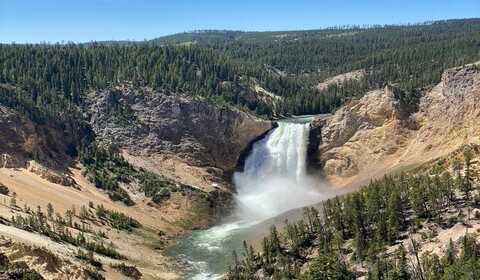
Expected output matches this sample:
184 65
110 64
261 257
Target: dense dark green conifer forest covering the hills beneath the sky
222 65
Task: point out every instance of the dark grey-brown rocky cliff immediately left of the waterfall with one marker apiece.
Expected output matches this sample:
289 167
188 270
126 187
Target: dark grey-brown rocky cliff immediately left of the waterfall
177 135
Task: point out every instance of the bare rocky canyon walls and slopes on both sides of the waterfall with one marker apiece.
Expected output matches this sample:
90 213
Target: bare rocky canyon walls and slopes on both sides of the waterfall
199 144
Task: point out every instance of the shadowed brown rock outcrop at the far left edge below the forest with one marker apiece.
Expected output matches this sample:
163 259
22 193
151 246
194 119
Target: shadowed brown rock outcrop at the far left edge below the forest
43 148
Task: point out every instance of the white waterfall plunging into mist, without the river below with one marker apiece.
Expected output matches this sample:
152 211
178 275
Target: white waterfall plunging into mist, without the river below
274 179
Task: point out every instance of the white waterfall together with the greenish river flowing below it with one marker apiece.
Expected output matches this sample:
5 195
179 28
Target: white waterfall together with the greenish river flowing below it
273 181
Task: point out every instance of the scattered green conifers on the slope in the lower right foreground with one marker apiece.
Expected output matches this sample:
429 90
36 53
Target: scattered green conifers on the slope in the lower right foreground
370 232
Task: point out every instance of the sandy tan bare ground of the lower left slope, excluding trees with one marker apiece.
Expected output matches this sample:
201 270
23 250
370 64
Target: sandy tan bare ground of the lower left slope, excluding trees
34 191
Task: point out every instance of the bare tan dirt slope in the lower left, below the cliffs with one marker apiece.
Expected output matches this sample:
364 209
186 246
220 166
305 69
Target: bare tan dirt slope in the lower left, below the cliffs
158 225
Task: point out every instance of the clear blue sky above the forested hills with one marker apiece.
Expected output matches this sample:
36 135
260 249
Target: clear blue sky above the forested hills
86 20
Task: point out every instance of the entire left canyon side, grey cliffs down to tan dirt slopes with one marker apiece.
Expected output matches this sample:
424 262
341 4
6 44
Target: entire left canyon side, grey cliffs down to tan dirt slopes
196 143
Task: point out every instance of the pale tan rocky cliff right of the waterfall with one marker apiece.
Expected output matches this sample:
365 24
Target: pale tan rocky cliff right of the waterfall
380 132
